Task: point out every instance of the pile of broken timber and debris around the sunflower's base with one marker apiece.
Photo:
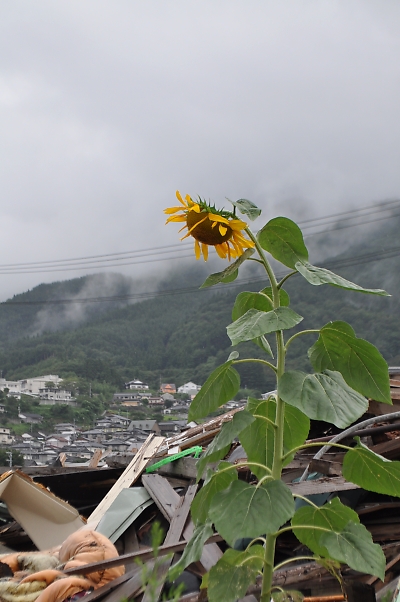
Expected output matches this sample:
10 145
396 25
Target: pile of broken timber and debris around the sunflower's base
158 484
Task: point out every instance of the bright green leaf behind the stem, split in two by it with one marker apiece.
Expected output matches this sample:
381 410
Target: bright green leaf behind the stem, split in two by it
258 438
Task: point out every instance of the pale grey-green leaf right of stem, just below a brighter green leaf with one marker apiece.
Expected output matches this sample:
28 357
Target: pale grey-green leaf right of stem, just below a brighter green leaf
324 396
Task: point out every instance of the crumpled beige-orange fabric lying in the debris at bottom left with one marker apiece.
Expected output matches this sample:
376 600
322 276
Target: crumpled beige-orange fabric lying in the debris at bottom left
48 583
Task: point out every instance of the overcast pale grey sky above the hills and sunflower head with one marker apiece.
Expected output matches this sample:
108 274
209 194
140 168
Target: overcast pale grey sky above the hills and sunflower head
109 106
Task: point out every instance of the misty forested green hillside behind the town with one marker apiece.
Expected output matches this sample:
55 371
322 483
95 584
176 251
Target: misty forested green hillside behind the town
182 336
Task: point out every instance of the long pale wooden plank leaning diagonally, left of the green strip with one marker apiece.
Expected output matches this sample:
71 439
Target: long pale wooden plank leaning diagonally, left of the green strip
128 477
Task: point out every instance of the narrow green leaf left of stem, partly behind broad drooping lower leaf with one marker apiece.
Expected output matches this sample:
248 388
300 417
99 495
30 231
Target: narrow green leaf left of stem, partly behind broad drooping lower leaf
218 482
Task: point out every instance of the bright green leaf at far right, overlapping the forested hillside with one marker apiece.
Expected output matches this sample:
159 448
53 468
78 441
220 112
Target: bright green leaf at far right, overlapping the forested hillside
359 362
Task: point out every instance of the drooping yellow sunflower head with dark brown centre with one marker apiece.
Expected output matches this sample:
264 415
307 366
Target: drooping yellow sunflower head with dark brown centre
210 227
